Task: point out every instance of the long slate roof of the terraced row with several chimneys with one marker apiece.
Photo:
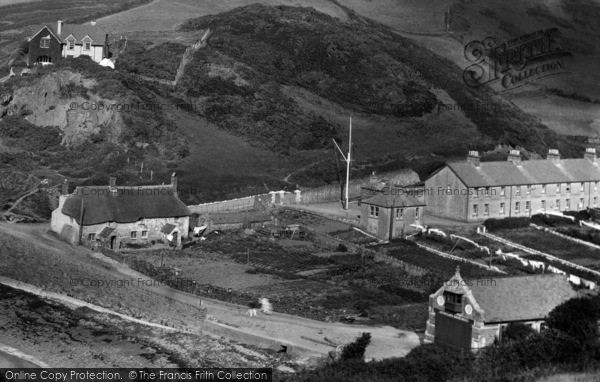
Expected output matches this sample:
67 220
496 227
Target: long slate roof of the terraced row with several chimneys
543 171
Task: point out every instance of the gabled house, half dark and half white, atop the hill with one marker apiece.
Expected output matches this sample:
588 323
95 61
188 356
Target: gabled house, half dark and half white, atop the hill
67 41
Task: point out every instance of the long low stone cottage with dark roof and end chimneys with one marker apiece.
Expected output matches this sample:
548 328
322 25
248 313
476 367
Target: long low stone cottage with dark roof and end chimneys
115 216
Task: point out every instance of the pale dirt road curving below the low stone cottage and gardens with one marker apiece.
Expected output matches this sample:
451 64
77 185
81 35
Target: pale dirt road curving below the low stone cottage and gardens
230 320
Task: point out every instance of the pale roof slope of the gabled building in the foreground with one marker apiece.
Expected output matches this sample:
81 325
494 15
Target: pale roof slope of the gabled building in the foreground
519 298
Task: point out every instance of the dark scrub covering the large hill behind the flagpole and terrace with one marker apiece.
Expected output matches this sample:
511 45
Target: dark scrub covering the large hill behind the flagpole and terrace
360 64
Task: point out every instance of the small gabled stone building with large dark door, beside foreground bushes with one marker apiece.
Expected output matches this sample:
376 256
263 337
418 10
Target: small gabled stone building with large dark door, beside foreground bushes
471 313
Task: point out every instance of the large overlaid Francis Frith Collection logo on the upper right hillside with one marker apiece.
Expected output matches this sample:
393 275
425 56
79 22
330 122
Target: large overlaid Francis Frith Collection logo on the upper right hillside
515 62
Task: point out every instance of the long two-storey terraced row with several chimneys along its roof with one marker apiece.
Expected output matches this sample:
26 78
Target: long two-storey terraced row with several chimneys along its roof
474 191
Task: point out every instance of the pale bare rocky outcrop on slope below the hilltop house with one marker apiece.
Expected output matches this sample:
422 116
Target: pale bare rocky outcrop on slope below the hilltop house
62 99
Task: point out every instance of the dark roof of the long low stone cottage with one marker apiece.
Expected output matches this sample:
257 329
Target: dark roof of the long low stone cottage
128 205
